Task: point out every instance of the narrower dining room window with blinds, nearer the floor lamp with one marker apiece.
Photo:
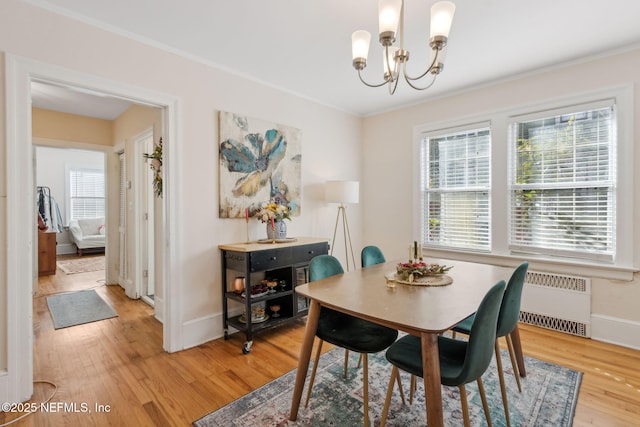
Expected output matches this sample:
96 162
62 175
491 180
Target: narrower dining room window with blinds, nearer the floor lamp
456 179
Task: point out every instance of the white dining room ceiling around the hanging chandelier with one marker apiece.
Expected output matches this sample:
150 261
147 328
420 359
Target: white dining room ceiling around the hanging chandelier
304 47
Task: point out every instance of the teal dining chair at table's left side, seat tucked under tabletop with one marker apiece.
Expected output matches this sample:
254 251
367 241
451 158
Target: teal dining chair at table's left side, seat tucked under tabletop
348 332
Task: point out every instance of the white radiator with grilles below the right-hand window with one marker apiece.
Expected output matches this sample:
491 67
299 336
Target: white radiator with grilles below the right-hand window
558 302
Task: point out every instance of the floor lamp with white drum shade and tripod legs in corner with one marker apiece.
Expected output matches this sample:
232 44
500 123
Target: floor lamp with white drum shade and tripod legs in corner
343 192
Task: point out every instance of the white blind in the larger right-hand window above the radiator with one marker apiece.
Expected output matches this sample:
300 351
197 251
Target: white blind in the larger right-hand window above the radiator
562 183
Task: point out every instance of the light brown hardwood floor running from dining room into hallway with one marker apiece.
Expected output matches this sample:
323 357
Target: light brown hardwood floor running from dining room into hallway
117 368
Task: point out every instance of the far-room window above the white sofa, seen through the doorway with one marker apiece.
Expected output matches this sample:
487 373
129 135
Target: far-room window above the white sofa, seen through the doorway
86 193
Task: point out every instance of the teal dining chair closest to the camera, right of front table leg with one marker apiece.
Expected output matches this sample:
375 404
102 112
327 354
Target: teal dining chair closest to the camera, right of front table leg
461 362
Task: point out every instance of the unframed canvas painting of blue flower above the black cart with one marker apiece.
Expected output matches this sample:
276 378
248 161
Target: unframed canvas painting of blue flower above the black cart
259 162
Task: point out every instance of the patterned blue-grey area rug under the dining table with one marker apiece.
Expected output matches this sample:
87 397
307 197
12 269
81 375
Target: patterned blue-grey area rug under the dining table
548 398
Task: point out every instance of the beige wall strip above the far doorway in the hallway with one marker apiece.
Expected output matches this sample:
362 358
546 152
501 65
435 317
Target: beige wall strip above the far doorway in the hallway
70 127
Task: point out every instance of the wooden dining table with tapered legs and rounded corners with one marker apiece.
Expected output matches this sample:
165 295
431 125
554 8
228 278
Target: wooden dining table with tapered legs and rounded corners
423 311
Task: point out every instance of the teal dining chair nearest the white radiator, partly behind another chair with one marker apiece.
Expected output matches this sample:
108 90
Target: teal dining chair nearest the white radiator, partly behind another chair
507 322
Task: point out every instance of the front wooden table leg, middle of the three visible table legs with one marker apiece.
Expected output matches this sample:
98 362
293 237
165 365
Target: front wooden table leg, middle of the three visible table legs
431 376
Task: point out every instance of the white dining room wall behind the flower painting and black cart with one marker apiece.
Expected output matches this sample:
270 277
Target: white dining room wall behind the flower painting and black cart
330 145
